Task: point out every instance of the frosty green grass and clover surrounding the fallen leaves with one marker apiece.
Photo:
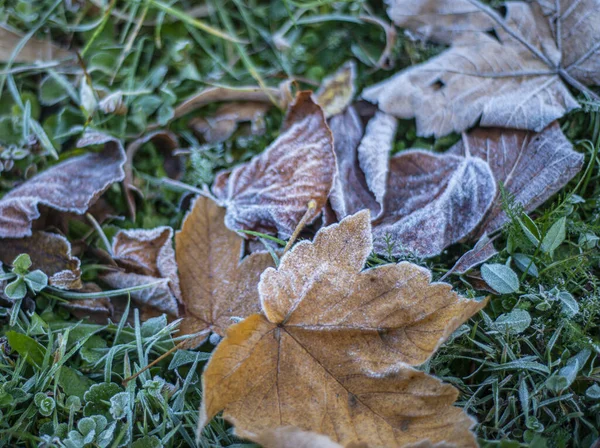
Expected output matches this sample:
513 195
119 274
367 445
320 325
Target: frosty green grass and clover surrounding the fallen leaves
518 382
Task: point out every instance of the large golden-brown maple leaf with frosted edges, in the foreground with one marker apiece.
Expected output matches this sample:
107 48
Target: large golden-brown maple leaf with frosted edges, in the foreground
332 351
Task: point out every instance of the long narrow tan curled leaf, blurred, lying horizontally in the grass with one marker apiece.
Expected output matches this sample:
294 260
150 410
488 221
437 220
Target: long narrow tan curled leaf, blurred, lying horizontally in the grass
281 96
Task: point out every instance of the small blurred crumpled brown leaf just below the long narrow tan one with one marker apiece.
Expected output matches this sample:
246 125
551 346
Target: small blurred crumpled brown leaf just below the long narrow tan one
225 121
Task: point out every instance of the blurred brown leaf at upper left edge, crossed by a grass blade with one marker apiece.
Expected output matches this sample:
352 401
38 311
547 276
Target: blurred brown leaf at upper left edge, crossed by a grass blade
34 50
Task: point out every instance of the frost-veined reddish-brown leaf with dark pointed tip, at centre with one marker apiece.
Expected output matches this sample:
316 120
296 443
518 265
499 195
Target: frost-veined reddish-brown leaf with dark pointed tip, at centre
271 192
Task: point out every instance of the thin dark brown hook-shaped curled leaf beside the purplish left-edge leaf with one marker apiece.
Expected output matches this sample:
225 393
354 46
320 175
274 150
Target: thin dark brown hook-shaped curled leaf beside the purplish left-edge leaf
166 142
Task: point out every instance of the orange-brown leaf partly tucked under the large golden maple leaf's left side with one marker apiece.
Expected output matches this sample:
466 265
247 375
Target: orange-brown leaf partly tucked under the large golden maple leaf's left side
216 285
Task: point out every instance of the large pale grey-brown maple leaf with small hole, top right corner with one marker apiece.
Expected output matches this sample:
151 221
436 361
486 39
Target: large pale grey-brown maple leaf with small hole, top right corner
507 71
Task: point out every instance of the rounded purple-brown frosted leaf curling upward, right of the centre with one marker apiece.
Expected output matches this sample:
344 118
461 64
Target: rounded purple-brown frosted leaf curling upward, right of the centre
432 201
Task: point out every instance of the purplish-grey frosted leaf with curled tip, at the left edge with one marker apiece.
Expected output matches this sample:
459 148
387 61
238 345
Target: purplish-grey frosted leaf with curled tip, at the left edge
70 186
